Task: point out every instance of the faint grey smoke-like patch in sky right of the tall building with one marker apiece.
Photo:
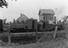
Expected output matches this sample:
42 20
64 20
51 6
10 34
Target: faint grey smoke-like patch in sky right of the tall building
59 11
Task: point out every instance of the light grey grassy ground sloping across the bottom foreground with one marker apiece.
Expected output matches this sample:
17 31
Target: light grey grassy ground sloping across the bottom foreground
61 43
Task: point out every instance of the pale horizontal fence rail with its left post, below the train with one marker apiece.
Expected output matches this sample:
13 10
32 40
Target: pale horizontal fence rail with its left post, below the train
9 35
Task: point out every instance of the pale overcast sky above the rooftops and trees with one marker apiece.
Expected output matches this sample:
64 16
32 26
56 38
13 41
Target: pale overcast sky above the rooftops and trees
31 7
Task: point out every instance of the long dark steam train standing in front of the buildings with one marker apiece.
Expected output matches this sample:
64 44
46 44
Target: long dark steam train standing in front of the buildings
33 25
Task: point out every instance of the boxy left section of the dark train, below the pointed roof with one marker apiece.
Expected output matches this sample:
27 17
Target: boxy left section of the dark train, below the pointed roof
29 25
